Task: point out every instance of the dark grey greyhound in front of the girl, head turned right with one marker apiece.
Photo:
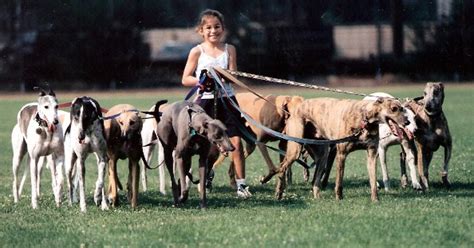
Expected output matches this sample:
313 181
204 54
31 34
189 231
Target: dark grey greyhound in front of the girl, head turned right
187 129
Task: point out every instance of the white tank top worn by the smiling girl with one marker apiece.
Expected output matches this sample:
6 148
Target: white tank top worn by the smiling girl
205 61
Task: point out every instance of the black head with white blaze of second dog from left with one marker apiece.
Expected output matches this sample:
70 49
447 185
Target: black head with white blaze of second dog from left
85 111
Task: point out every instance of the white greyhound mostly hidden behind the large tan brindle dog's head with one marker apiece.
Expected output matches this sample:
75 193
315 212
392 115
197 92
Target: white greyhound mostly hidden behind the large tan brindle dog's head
387 138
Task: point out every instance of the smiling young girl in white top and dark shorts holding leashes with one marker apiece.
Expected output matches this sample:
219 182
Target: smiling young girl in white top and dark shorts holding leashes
214 52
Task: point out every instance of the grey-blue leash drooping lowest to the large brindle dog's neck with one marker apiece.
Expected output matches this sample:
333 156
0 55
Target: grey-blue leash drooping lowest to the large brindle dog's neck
274 133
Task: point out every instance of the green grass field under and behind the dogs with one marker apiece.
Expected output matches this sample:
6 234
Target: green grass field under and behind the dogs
402 217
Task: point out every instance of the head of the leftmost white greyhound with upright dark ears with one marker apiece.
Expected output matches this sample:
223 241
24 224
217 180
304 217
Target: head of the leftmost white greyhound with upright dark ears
48 108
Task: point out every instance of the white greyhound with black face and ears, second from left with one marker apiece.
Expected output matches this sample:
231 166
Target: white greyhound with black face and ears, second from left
86 134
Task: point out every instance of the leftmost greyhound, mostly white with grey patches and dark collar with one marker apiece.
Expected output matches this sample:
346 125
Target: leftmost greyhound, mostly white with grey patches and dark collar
37 133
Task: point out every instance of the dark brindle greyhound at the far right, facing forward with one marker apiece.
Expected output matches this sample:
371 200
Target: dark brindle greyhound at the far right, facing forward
432 132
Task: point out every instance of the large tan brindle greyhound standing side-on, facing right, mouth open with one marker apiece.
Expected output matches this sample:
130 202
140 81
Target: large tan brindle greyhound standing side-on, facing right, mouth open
337 118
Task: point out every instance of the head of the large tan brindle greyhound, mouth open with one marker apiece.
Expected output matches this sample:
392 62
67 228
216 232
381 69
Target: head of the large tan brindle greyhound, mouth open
389 111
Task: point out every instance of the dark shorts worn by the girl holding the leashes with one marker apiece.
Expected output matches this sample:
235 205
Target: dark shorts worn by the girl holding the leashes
227 114
